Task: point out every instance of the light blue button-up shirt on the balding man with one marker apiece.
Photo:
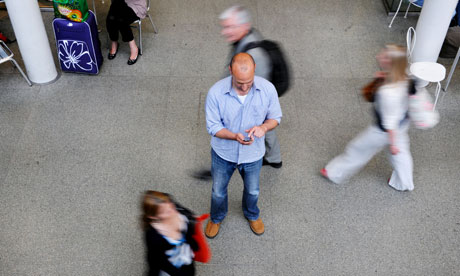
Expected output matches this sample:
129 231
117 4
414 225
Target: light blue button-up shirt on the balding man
225 110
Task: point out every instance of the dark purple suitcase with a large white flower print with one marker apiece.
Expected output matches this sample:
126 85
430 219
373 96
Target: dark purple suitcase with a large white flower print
78 45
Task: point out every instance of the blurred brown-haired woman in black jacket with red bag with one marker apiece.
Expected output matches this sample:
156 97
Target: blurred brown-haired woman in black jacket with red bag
171 236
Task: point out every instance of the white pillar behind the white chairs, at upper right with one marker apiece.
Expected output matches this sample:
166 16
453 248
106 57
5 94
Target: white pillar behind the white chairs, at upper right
431 29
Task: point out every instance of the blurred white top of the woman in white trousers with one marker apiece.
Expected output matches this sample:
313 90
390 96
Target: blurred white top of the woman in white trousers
392 103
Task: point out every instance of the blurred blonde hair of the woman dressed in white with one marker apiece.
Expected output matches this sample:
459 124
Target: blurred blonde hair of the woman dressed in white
397 55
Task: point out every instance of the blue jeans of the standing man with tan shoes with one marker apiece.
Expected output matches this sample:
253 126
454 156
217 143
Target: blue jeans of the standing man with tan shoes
222 171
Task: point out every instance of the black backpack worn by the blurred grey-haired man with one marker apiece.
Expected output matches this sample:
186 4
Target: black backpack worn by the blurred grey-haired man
280 70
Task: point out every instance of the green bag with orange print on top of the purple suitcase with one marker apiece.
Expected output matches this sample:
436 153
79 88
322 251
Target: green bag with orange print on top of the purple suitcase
75 10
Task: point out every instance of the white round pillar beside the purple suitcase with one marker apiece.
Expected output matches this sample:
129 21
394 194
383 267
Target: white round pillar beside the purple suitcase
33 42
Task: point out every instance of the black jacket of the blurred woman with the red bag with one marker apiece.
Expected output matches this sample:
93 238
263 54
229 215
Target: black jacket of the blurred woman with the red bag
157 246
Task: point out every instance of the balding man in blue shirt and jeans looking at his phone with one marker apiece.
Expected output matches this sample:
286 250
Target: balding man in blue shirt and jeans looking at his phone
240 109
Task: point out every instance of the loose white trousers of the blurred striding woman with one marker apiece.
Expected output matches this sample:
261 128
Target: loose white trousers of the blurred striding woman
363 147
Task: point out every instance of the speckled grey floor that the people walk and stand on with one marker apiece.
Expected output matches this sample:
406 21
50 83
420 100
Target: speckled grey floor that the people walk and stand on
76 155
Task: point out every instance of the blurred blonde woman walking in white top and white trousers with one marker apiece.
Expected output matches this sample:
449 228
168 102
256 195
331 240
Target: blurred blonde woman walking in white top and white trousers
389 130
